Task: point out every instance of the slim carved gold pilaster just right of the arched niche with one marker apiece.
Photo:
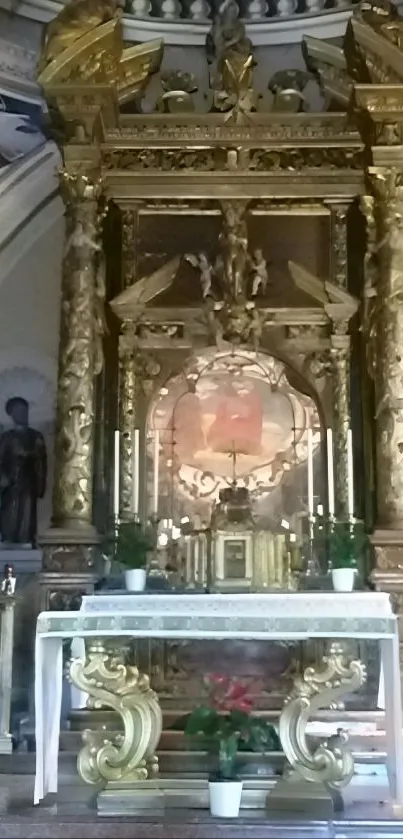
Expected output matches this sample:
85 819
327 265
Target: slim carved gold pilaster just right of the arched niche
340 366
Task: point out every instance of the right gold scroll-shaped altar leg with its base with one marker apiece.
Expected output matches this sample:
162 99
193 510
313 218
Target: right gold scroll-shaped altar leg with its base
317 771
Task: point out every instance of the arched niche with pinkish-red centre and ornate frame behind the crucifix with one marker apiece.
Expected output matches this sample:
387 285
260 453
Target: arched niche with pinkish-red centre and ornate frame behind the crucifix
235 414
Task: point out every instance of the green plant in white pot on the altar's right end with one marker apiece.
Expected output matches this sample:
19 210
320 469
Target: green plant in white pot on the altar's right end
346 543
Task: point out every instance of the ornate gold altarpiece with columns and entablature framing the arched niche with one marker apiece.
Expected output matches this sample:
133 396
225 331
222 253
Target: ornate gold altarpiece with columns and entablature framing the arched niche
236 163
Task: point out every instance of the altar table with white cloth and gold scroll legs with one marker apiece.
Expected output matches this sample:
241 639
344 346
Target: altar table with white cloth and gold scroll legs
272 617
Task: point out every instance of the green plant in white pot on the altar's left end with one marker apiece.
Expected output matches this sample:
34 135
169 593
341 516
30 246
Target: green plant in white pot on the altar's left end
132 544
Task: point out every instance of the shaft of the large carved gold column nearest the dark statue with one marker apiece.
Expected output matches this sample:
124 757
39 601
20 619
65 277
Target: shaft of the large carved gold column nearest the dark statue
79 355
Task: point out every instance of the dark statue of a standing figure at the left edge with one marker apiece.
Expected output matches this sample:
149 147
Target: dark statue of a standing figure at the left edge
23 471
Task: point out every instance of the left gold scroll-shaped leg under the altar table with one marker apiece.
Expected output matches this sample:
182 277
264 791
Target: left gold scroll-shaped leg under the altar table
128 755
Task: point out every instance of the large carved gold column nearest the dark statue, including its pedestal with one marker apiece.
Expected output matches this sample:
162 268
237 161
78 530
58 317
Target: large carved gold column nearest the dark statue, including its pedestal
68 546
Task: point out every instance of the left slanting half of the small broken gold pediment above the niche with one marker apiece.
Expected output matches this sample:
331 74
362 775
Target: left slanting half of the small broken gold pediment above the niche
130 302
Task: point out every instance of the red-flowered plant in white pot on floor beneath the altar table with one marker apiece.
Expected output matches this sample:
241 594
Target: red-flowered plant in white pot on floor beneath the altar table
225 725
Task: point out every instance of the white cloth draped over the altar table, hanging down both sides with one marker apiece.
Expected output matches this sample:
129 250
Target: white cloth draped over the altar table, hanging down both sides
271 617
